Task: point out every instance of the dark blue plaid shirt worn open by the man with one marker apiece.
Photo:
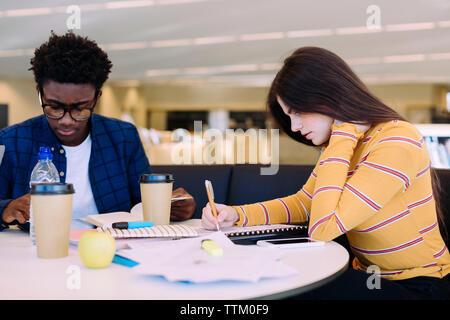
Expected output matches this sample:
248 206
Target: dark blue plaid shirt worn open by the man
117 161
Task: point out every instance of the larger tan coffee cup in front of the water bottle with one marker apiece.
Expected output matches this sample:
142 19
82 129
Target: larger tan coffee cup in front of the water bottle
52 214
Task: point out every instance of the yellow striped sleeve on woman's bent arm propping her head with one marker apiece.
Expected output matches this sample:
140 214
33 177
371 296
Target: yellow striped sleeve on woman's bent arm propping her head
340 203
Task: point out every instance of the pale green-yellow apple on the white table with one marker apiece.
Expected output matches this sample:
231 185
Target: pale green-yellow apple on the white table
96 249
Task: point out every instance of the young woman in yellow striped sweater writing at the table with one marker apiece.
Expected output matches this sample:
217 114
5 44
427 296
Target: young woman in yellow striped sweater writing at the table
373 182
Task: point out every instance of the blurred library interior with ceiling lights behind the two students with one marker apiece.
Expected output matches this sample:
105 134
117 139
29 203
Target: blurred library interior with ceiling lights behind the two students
170 73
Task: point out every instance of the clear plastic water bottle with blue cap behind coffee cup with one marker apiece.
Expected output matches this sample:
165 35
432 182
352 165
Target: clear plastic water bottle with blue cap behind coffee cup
44 172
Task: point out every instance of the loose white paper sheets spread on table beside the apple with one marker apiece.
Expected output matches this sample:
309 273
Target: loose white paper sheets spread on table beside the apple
185 260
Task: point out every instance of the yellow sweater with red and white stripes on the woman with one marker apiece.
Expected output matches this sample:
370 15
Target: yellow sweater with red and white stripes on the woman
376 188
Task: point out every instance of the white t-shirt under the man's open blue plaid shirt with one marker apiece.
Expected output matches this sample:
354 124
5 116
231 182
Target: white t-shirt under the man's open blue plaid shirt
78 174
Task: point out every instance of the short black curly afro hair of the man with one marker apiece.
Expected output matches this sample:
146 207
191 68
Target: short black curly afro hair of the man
70 58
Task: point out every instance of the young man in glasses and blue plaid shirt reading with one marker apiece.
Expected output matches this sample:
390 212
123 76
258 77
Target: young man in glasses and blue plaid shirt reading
102 157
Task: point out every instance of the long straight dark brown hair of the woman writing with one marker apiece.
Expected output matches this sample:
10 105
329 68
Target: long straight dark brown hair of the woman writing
315 80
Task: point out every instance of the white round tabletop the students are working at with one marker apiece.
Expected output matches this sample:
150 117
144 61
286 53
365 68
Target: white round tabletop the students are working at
24 276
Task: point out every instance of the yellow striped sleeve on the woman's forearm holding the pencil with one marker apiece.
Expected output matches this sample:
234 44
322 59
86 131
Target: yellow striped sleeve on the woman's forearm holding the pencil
291 209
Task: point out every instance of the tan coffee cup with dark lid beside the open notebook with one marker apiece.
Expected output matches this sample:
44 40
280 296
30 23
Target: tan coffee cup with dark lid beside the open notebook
156 194
